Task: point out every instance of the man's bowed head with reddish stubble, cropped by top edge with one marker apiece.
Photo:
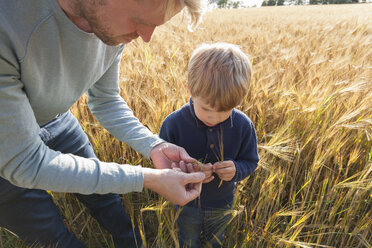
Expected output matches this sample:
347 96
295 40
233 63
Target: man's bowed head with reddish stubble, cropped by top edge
118 22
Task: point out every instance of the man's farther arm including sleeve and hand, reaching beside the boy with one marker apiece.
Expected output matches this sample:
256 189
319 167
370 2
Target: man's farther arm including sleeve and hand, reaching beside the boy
114 114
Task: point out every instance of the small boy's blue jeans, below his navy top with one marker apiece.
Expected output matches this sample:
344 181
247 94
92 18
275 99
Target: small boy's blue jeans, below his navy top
202 227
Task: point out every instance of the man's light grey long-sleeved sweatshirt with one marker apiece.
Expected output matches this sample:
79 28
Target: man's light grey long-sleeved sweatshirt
46 64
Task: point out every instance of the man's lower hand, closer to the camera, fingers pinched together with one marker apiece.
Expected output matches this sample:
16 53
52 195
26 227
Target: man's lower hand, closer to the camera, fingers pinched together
171 184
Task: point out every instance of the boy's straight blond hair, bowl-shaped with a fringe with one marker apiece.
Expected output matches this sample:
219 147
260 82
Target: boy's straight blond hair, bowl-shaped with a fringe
220 73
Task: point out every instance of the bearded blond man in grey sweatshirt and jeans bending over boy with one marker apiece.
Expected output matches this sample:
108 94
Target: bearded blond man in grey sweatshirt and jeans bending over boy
51 52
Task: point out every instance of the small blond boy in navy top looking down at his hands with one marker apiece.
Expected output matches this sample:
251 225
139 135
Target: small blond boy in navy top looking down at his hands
218 135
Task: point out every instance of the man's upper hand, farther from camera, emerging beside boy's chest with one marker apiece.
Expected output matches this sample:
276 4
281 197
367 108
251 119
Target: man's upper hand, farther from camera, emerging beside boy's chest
164 154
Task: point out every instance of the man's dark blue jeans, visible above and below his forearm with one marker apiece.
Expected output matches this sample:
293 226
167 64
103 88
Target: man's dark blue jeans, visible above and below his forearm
32 214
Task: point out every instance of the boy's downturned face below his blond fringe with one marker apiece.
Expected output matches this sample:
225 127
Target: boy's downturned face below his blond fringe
208 115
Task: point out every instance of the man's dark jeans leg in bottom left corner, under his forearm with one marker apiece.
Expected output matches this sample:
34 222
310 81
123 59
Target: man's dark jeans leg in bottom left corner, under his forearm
33 216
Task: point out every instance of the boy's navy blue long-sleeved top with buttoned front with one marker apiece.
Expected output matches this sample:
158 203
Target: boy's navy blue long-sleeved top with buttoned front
183 128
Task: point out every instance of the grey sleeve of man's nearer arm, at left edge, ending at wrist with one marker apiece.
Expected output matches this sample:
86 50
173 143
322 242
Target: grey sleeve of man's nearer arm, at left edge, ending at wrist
27 162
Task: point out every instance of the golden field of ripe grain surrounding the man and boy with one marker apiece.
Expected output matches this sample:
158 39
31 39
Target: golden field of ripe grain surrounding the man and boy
310 101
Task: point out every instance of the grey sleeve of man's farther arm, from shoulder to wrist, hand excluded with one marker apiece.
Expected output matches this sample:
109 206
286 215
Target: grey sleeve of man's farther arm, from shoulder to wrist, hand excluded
114 114
